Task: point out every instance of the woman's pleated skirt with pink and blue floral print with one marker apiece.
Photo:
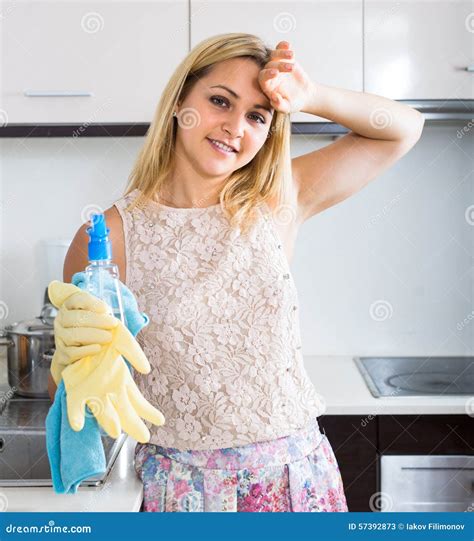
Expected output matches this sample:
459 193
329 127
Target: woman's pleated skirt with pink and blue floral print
290 474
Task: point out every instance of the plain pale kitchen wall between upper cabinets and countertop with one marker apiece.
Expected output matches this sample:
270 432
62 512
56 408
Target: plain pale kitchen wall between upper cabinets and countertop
387 271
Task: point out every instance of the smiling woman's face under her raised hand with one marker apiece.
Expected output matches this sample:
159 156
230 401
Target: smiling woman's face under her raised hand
238 115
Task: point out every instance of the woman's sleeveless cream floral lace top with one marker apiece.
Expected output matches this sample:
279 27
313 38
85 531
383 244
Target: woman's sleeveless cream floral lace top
223 338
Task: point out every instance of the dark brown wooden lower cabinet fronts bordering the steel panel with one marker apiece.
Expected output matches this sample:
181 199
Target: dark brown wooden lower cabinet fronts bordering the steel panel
358 442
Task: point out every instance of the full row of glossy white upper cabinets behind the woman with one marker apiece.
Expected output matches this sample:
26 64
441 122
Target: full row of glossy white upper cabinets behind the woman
101 61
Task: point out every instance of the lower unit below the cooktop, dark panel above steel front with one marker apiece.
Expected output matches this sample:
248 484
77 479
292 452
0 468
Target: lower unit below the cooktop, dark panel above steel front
426 462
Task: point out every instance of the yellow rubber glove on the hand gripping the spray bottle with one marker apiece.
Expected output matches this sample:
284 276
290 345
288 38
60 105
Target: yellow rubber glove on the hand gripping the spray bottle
81 327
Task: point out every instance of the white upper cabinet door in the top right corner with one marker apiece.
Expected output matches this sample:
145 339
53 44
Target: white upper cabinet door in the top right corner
419 49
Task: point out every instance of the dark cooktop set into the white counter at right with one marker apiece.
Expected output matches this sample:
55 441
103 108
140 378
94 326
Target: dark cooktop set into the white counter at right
417 376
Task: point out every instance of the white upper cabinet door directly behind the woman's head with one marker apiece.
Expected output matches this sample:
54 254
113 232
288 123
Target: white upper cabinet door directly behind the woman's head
325 35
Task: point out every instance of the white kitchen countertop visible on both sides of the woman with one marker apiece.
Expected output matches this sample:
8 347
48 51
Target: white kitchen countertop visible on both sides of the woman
336 378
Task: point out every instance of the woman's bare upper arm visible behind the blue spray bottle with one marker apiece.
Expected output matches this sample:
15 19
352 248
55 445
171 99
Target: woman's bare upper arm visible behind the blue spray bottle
77 256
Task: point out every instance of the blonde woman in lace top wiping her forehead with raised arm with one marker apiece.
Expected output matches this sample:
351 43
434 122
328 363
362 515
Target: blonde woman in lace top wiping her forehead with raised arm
204 235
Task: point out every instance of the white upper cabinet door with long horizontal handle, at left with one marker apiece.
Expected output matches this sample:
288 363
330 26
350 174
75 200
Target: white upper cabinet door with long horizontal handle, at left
88 62
